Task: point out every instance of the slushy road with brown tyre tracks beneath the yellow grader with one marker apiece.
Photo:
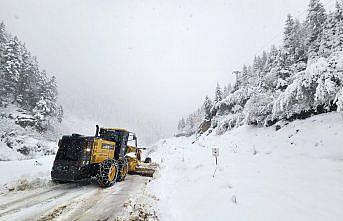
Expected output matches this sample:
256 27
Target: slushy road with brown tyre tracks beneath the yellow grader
70 201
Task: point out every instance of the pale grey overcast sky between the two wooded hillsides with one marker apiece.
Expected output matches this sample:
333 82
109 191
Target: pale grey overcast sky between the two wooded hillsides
143 64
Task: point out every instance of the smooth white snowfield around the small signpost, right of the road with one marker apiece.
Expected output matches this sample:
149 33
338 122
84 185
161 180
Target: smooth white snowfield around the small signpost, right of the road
294 173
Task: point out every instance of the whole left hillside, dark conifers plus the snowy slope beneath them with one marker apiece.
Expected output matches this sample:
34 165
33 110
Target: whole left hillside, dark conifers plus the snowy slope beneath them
28 100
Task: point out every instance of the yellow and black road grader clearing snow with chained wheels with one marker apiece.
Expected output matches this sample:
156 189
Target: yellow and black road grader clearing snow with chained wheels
103 156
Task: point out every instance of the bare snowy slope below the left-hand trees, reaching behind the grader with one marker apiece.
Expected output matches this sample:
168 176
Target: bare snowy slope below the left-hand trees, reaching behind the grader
18 143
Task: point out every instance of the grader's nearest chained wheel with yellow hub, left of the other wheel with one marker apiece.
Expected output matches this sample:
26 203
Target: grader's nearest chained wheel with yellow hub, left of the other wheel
107 173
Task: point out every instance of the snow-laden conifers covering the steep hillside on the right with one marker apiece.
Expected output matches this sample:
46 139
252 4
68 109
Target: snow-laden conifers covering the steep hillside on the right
300 78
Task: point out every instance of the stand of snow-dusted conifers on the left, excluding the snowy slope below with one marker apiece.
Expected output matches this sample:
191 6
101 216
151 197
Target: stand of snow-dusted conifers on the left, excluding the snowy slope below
24 85
